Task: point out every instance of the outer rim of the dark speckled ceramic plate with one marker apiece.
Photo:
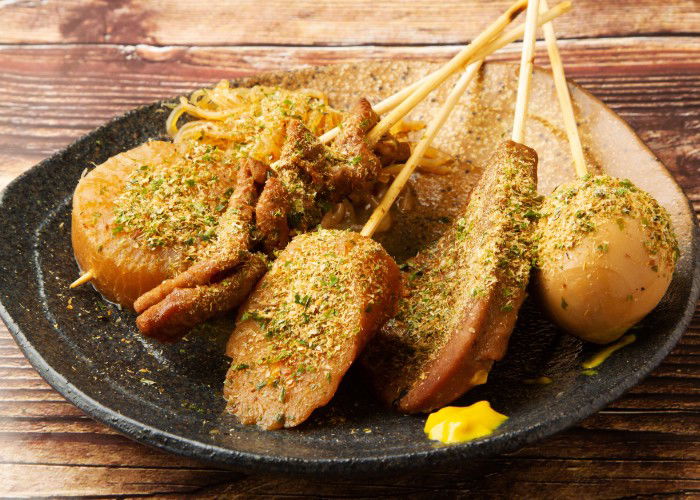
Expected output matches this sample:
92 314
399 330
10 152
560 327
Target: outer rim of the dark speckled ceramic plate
381 464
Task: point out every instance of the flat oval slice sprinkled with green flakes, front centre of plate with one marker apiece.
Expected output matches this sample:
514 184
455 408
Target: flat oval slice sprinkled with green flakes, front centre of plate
305 323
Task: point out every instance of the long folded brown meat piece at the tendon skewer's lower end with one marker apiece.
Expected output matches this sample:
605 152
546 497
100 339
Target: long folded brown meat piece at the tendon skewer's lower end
162 307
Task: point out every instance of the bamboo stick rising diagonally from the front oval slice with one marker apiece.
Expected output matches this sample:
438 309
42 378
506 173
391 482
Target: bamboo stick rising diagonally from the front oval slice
434 127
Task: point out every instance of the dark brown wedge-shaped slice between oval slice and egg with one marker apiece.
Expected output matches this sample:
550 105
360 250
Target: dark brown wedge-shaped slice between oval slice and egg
464 293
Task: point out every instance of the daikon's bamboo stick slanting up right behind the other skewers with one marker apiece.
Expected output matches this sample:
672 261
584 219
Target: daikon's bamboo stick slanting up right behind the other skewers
501 41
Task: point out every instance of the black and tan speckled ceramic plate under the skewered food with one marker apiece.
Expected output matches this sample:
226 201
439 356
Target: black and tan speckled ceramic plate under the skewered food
170 396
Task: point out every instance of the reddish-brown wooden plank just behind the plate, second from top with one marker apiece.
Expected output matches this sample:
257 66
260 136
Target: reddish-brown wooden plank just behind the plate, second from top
653 83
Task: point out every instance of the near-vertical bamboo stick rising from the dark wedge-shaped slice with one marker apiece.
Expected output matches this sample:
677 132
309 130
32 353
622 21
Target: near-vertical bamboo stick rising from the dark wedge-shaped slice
527 59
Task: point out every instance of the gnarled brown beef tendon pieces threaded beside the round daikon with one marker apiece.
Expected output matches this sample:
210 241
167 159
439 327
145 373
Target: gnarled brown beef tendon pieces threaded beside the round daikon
307 174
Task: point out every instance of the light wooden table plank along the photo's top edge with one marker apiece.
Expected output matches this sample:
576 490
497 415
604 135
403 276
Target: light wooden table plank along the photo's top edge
306 22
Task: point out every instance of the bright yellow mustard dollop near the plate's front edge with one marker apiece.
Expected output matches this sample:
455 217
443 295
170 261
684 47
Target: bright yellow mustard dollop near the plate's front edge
454 424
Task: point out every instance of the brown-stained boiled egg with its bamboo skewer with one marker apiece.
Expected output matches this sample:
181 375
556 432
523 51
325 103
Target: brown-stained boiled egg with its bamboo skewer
607 250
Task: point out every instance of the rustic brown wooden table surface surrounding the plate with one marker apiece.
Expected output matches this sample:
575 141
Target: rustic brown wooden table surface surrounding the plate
68 66
